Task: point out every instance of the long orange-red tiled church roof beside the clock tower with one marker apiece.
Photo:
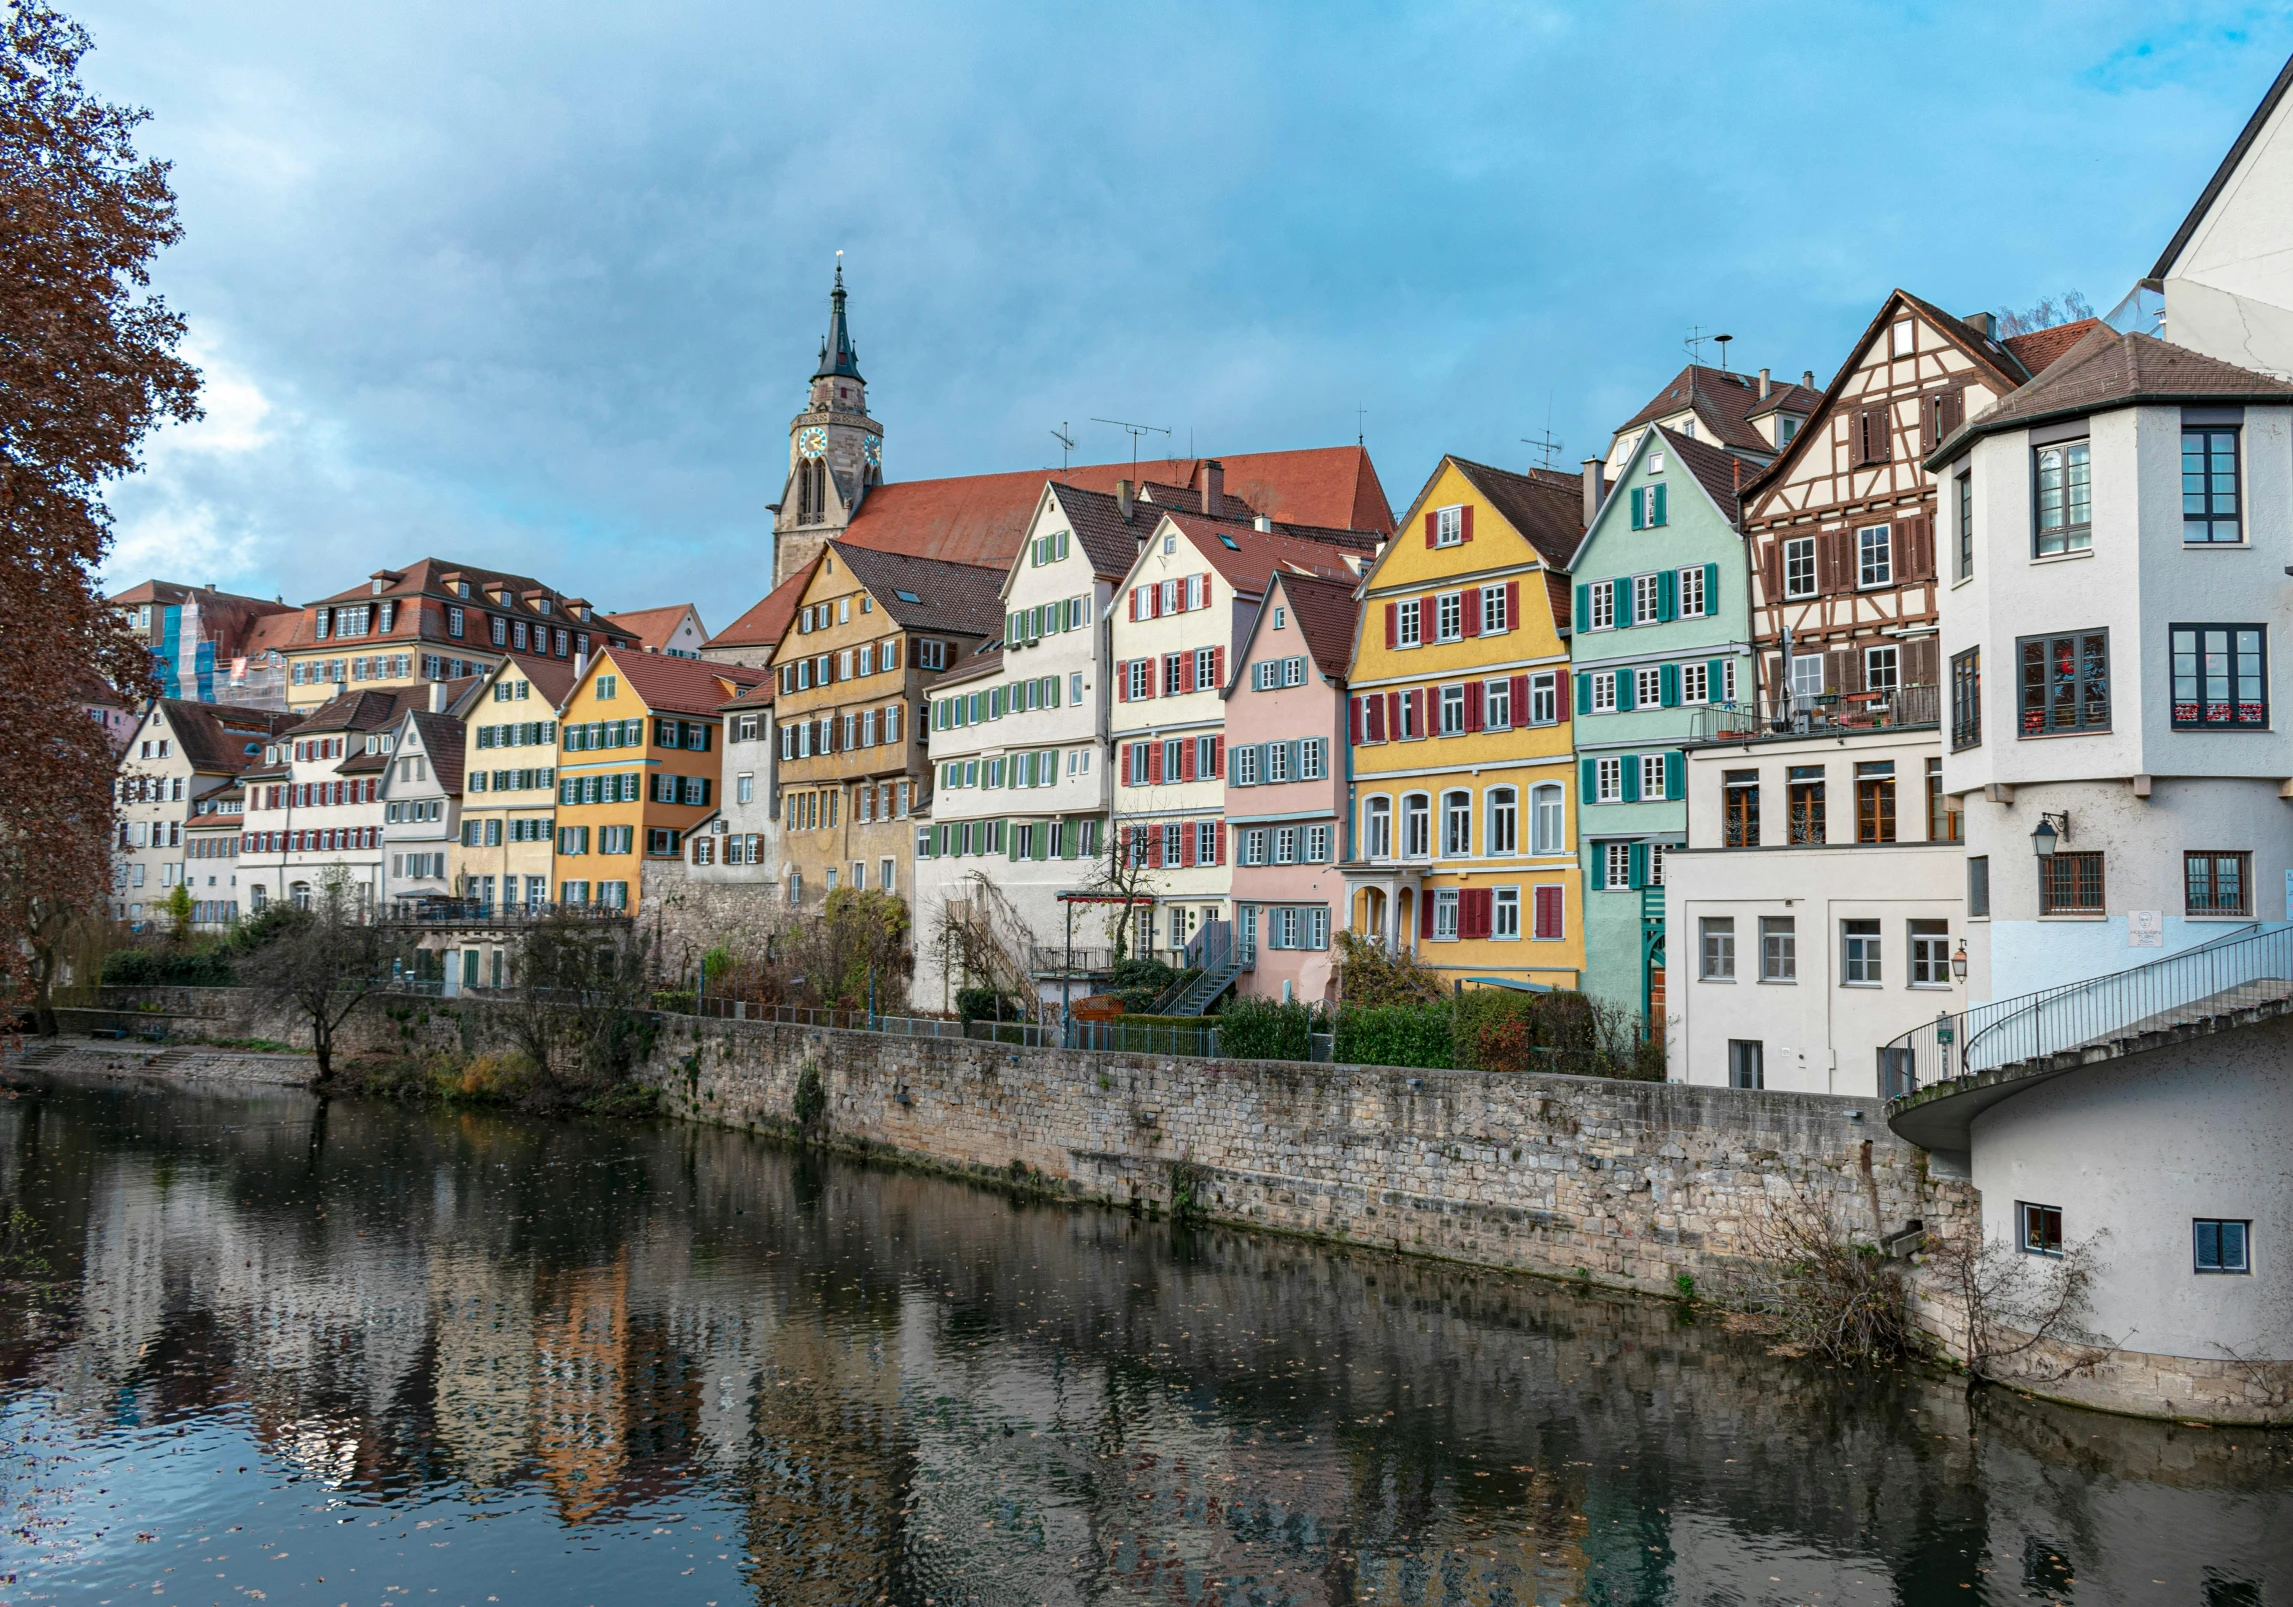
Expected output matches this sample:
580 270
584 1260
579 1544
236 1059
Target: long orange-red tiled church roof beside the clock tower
983 519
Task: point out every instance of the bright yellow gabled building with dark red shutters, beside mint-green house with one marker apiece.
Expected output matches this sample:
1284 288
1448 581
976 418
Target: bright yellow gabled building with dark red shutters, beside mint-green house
1464 820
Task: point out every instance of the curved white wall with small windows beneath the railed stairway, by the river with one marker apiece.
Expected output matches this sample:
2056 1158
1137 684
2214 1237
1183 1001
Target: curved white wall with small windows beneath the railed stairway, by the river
2143 1147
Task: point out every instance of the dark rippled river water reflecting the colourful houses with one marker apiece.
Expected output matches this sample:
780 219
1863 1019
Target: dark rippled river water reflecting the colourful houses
354 1354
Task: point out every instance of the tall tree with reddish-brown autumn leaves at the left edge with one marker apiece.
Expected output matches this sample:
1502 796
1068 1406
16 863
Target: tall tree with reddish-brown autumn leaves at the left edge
88 370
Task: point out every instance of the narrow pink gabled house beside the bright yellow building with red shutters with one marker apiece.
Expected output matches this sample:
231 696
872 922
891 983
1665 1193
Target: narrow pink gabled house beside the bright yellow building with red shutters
1288 785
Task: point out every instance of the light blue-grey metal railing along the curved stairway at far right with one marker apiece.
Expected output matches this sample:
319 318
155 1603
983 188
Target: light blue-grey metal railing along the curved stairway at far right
2244 969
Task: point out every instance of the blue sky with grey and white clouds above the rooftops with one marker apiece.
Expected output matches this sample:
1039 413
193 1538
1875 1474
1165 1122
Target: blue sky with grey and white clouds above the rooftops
540 285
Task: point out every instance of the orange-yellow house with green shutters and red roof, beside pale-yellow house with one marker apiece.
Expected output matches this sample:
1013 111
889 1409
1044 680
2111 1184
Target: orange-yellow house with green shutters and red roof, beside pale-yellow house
639 765
